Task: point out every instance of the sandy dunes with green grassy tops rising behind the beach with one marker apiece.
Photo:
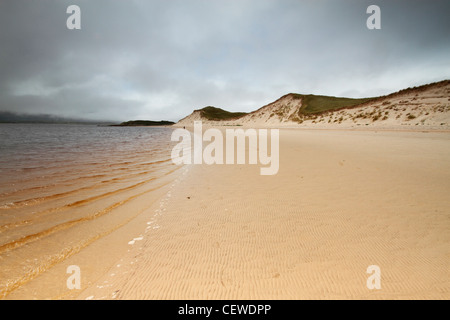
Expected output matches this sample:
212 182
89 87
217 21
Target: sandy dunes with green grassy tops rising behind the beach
427 105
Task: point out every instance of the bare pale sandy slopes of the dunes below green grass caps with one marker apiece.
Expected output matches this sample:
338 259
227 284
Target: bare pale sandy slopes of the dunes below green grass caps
422 107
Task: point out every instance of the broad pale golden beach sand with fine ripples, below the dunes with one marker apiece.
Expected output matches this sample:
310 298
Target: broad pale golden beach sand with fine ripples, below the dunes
342 200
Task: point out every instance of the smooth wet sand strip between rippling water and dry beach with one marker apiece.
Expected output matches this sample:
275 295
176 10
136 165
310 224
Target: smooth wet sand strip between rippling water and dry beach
99 254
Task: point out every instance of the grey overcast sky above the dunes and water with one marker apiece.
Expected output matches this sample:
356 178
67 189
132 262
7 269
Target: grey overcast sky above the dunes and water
161 59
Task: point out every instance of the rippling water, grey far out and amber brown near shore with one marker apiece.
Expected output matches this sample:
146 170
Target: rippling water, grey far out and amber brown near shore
64 186
